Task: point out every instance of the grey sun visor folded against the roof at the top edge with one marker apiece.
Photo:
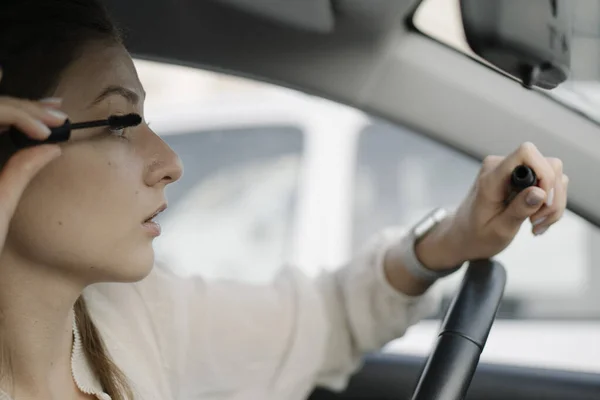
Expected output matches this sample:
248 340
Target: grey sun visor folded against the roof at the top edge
310 15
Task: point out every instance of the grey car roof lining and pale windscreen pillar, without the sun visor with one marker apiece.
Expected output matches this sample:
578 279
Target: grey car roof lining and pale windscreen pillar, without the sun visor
373 61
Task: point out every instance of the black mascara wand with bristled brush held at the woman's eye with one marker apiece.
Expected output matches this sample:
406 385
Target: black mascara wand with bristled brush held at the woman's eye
63 133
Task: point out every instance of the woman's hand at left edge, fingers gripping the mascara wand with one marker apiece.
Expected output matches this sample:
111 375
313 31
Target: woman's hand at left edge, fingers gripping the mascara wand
33 118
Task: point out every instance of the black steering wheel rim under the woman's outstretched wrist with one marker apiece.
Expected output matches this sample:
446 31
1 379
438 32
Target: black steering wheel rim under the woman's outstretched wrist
464 331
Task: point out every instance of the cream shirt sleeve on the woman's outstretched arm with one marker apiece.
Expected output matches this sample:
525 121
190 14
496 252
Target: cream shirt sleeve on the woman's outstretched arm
224 336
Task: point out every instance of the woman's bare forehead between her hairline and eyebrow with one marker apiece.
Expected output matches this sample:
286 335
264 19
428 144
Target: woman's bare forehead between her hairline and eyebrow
98 67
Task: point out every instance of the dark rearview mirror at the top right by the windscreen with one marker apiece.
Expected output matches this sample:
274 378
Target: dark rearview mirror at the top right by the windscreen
528 39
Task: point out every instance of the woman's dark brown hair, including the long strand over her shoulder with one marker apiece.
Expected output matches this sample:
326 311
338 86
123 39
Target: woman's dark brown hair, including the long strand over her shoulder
38 40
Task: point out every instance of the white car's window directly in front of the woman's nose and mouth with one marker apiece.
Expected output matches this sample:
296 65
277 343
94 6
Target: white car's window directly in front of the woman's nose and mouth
231 216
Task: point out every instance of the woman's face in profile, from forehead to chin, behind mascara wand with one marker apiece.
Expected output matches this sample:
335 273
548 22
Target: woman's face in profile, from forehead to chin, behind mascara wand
84 213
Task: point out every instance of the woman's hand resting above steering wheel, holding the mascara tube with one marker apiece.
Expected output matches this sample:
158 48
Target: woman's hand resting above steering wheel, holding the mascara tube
484 225
